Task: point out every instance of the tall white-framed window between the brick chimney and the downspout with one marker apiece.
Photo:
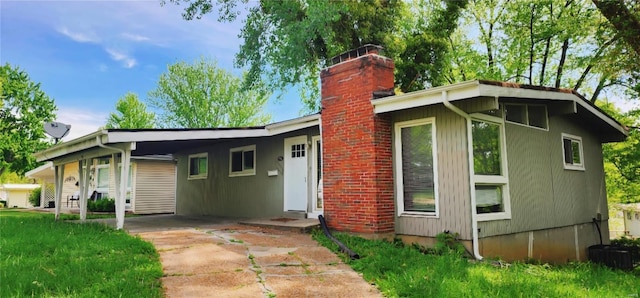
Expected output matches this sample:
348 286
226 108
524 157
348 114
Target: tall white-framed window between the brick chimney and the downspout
416 163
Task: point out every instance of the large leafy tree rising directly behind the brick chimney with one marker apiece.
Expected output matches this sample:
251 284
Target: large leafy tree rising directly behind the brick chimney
286 43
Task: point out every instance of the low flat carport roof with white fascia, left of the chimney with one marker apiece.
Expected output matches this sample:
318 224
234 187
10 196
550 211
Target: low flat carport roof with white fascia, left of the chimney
165 141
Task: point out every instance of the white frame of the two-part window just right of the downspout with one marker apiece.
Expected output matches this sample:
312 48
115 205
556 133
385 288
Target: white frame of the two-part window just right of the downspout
491 180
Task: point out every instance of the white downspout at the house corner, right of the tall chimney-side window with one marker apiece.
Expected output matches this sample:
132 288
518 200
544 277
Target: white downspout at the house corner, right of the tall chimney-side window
472 191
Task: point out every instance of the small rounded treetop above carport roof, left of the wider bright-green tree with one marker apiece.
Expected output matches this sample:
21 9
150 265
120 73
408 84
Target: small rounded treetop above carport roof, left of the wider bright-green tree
131 113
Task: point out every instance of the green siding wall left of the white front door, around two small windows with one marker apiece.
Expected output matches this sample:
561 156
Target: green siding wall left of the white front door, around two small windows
246 196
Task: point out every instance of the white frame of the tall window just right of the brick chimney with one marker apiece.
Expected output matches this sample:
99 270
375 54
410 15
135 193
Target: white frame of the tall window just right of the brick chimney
398 167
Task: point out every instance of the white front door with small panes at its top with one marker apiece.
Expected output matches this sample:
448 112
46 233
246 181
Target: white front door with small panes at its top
295 174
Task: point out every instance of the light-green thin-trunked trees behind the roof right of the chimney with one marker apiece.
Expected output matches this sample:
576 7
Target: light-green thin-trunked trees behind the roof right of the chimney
559 43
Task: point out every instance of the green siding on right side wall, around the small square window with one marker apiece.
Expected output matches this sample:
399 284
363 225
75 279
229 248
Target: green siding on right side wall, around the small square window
543 194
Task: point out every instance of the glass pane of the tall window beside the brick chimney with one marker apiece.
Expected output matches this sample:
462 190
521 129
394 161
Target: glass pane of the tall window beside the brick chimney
417 168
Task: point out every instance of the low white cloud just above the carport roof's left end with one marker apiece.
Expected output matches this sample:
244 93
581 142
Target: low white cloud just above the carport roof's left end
82 121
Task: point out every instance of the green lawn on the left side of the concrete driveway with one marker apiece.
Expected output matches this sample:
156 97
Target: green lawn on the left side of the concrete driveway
41 257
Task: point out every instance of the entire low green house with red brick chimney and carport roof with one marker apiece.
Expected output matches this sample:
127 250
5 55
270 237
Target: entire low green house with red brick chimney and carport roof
516 171
